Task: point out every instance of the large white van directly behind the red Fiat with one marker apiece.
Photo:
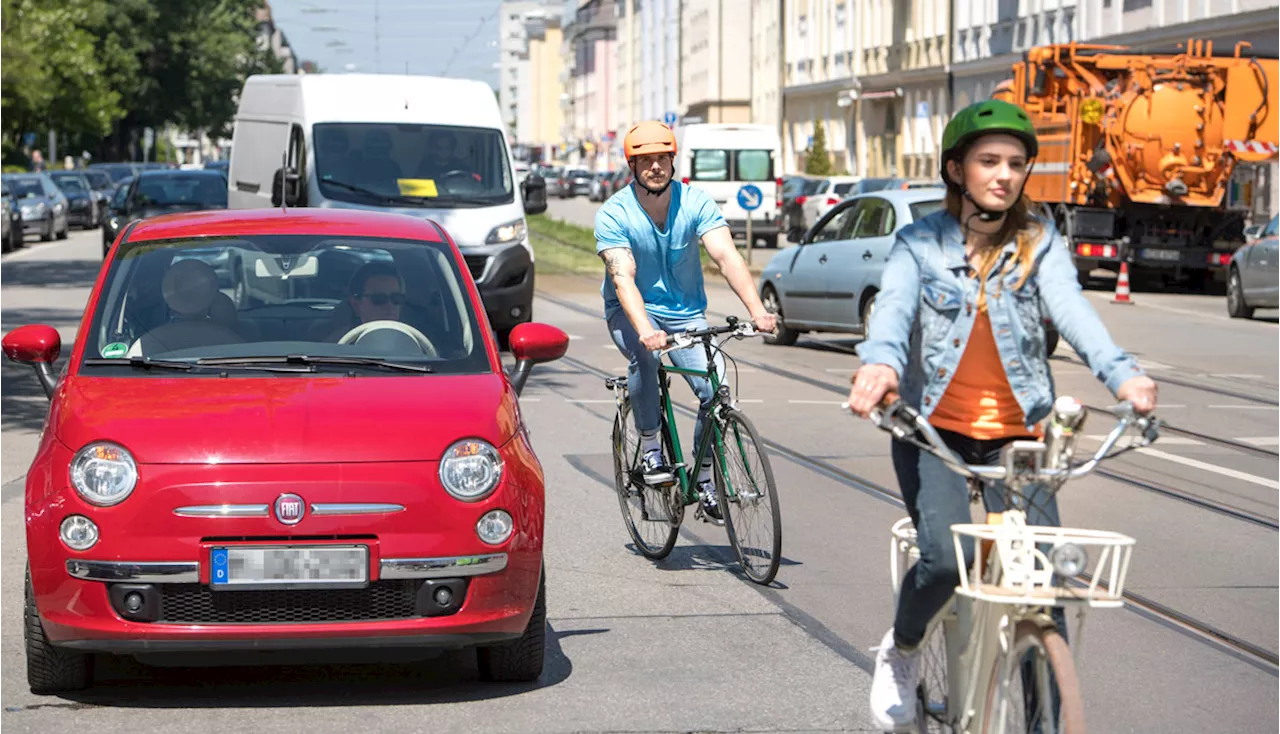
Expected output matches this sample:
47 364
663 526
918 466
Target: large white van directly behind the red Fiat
424 147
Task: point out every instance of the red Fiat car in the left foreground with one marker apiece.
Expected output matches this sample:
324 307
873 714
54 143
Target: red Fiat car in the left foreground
284 430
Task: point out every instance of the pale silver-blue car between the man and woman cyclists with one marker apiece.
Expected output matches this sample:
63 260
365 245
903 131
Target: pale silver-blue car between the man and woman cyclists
830 282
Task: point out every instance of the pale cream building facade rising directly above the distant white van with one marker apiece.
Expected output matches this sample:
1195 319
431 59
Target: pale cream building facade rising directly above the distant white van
715 72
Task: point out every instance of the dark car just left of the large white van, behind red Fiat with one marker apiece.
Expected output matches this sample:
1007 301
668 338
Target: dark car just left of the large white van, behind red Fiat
161 192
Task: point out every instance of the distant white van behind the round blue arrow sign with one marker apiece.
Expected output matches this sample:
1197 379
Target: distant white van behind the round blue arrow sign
721 158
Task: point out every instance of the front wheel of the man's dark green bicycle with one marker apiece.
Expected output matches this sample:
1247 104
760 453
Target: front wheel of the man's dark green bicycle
749 499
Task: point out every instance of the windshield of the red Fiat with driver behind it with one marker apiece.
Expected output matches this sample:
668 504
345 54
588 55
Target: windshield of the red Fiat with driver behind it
275 297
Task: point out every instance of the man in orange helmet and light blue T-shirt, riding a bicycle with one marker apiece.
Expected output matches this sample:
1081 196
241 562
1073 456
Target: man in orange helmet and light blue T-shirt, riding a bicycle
648 238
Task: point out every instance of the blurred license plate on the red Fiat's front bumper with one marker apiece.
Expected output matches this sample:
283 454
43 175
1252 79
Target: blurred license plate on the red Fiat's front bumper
296 567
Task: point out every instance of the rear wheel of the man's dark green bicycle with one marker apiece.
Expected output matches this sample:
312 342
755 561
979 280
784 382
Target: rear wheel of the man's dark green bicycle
648 513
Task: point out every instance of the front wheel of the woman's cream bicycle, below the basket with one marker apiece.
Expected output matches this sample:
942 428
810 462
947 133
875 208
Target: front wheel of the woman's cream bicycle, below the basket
1027 691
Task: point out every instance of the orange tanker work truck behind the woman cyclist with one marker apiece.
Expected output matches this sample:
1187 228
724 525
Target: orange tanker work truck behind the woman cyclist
1139 152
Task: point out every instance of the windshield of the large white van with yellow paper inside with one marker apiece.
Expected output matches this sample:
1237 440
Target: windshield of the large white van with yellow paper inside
437 167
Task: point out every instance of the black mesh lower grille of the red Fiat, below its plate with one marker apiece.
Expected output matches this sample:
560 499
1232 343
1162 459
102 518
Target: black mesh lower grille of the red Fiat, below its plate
196 604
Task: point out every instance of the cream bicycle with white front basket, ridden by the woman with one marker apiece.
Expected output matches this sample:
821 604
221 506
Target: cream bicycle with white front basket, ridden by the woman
995 655
